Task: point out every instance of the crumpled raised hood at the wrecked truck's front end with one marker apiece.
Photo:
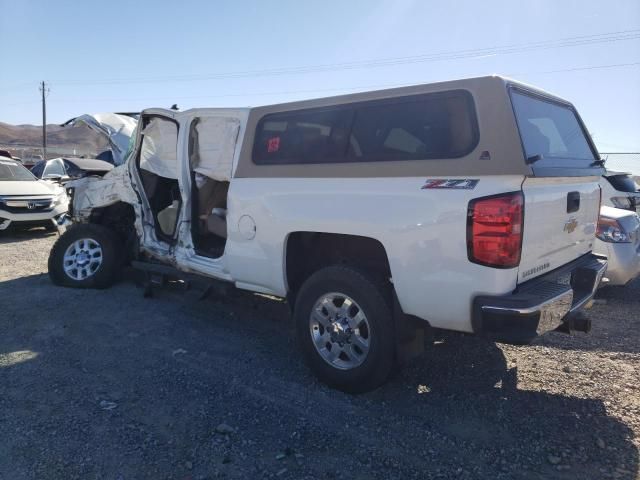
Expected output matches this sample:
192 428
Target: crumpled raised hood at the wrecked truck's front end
116 127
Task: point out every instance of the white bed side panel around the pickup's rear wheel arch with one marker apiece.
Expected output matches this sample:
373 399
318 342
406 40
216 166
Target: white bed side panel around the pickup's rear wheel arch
423 232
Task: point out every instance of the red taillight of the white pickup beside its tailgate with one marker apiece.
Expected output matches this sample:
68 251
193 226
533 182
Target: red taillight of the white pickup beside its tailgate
494 230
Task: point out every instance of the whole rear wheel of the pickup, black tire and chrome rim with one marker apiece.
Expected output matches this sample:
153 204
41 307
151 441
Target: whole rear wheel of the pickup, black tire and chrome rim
345 328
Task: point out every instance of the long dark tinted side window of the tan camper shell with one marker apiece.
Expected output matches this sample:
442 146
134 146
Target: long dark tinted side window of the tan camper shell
419 127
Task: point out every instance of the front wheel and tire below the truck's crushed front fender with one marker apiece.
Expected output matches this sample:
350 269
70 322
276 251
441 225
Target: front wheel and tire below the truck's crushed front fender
86 256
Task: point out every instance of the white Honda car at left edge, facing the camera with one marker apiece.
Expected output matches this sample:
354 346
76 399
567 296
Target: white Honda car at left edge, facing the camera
26 200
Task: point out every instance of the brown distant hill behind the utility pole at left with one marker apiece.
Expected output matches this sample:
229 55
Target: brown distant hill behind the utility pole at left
60 140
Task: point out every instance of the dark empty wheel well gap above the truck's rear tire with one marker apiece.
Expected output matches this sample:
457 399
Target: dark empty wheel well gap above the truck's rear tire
310 251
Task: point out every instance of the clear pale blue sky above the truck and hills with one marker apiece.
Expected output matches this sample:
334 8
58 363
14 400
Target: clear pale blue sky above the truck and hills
125 56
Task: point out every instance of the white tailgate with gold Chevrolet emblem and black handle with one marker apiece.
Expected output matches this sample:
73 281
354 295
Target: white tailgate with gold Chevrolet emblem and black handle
560 219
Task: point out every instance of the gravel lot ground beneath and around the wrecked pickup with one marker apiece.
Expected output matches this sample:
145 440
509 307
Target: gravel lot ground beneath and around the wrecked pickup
110 385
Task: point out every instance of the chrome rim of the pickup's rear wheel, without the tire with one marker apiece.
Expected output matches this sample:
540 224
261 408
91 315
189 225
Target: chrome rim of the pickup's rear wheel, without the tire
340 331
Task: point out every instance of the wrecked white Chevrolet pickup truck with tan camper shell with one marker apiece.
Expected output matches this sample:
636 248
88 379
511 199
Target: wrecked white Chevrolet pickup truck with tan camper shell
467 205
